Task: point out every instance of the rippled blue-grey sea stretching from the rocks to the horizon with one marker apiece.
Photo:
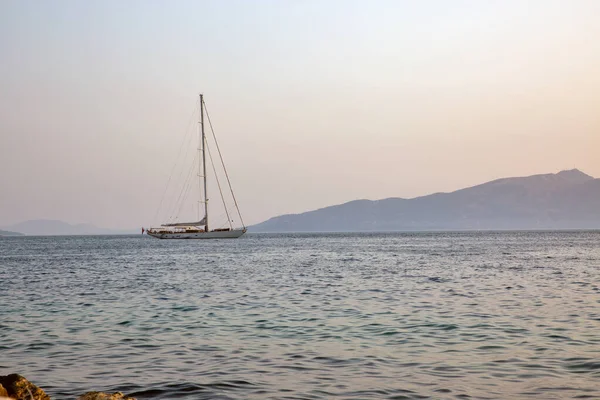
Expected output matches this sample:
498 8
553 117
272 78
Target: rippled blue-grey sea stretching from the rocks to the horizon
350 316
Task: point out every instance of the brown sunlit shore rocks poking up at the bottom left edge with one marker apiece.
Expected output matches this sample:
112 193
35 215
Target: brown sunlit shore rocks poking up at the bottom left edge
16 387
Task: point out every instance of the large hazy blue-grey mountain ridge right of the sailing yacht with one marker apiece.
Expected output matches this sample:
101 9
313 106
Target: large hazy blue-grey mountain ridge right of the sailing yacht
566 200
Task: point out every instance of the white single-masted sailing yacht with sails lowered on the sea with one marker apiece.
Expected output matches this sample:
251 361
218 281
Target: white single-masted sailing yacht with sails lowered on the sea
200 229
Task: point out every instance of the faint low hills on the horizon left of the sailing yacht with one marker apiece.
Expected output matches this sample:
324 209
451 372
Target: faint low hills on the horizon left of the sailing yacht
54 227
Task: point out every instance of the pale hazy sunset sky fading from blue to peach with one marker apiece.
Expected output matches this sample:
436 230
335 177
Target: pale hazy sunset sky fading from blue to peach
314 102
